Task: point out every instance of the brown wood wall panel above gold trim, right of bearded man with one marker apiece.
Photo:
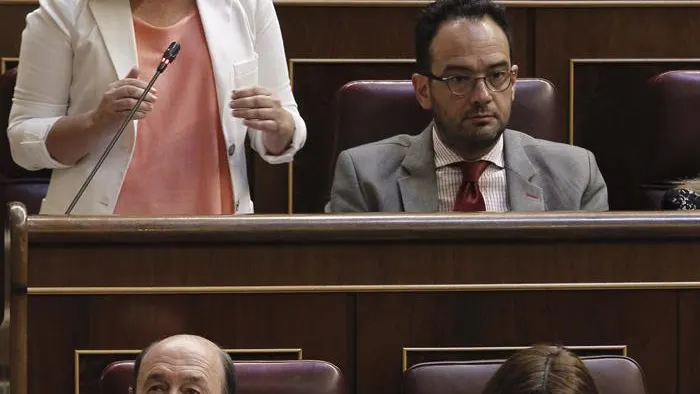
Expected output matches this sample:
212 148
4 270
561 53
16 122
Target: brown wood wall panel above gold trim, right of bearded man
562 34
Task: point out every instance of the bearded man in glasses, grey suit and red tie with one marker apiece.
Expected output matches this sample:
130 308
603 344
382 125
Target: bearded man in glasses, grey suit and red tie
466 160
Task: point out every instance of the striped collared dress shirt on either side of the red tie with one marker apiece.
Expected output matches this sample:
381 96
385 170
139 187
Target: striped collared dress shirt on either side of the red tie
492 182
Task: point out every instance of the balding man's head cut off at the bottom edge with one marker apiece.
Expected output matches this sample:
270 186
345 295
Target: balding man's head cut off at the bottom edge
183 364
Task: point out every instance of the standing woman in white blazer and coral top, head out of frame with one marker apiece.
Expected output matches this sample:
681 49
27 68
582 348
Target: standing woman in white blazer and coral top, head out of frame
83 64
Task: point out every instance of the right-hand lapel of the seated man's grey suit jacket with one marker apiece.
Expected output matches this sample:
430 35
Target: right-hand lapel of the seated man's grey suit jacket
523 193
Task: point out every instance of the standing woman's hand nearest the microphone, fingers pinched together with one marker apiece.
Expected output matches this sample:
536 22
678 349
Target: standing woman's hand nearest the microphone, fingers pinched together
121 96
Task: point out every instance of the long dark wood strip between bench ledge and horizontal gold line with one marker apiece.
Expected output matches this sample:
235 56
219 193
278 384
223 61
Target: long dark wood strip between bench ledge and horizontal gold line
306 265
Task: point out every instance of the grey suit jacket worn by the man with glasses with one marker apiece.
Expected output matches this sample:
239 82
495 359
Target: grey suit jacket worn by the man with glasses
398 175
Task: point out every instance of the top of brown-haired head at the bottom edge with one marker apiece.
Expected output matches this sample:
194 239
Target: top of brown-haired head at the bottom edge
542 369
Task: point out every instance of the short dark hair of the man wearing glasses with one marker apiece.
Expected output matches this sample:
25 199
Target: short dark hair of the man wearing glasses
440 11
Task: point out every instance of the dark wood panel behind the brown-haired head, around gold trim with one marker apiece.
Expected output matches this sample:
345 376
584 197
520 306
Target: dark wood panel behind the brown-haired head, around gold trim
519 319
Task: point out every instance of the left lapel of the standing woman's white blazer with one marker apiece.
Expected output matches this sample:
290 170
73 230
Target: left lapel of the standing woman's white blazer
114 20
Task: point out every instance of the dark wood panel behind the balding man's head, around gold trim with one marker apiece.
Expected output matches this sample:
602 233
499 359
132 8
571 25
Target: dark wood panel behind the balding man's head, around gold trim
121 322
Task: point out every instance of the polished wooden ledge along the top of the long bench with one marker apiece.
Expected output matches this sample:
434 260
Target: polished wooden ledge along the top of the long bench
582 226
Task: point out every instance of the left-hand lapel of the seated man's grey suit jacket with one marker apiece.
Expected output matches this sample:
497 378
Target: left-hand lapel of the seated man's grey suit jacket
419 185
